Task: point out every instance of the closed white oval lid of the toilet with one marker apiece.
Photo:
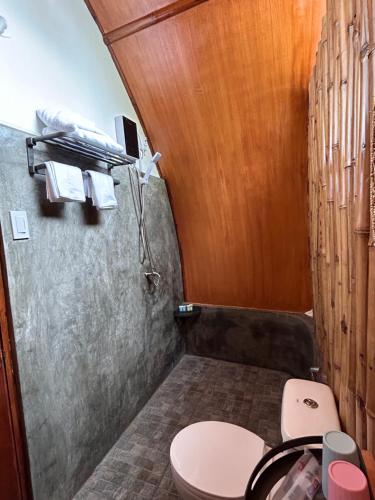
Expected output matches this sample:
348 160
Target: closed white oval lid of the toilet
216 458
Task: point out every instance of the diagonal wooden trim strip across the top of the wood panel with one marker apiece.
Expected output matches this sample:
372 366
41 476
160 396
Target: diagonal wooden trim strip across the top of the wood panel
150 19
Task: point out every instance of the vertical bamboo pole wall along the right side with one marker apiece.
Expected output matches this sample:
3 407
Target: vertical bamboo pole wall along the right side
342 209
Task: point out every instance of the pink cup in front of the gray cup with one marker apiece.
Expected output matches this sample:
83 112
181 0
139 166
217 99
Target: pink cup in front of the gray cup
346 482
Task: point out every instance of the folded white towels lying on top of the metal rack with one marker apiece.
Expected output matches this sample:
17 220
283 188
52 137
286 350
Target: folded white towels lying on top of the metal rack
65 120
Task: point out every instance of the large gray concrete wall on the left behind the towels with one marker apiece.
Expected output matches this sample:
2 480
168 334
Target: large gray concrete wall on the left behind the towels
92 342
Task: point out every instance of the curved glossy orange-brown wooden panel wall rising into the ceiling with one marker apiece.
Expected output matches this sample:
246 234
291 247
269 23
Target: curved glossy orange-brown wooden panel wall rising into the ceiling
221 88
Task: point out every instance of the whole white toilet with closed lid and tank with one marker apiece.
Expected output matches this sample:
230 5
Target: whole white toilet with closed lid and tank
214 460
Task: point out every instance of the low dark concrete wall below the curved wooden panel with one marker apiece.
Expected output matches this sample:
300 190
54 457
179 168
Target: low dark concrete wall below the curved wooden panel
275 340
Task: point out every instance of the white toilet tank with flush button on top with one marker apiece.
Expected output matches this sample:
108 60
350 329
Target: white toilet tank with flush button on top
308 409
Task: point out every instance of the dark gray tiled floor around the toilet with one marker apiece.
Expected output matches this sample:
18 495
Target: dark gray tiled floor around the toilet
197 389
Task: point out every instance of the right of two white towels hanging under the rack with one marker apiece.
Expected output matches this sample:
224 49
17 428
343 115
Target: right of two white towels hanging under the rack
100 187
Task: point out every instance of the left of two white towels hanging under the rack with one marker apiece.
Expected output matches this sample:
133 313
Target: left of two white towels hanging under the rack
64 182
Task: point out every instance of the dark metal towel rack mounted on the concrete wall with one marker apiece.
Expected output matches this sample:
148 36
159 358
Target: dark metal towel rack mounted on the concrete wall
62 140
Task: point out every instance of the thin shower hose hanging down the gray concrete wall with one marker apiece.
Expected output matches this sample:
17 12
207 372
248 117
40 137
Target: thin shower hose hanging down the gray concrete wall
138 195
